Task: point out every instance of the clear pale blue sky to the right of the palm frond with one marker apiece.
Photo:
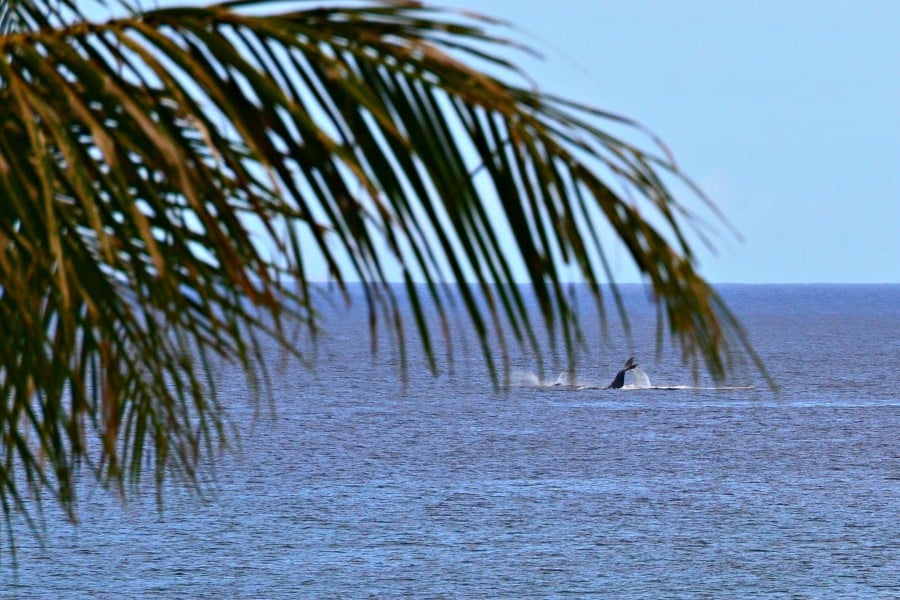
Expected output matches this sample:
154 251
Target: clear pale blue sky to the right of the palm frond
786 113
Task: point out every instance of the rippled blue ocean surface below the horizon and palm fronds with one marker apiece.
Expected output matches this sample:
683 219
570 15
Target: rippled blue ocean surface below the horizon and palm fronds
356 484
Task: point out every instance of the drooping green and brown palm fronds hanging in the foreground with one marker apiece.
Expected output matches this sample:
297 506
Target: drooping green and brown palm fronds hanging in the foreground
167 178
